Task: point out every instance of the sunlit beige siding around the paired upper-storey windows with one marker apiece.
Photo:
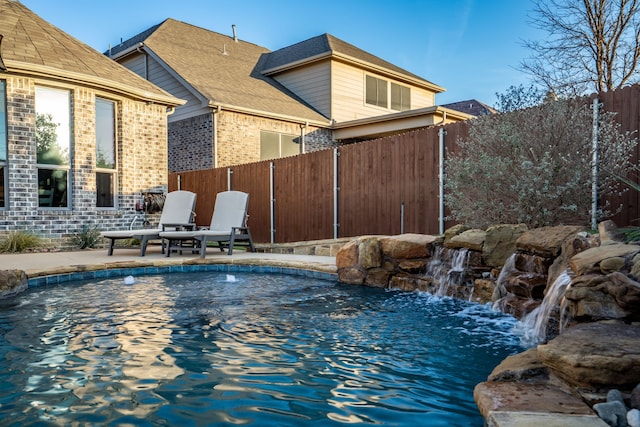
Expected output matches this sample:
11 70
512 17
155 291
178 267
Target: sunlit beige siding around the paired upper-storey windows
349 95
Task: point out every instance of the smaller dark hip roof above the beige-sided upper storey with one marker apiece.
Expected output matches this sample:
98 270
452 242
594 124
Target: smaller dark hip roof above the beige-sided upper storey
326 45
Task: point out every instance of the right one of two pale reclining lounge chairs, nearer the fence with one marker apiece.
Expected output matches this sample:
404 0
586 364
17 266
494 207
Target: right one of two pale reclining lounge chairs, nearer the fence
228 226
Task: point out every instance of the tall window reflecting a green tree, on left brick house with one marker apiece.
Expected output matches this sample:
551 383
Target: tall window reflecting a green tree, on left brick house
53 145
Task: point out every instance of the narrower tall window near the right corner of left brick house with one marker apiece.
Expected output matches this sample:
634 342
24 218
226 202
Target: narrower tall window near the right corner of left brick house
105 153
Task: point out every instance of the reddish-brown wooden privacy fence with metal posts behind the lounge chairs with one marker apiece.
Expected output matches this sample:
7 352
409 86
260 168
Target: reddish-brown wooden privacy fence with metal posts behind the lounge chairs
386 186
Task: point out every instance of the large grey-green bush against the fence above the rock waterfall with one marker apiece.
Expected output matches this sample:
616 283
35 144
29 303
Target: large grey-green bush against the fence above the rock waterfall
533 166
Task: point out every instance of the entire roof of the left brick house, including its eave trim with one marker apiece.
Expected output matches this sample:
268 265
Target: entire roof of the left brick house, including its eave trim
33 46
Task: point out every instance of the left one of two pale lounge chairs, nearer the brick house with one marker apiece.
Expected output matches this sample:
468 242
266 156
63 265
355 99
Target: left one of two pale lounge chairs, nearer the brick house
177 214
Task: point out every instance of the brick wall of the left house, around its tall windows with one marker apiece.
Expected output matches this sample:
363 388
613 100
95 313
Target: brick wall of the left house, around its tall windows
141 164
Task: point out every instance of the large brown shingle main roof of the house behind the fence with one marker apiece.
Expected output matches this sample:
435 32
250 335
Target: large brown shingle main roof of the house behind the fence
224 70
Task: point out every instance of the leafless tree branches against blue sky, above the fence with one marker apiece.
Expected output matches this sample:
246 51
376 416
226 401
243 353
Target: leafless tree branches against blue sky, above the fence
591 45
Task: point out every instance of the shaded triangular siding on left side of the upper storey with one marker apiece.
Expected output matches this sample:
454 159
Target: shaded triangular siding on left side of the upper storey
311 83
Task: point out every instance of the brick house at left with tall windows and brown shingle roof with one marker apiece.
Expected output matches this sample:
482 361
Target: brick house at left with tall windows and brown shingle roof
81 137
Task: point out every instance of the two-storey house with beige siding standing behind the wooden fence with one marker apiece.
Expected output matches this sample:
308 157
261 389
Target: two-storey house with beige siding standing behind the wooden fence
246 103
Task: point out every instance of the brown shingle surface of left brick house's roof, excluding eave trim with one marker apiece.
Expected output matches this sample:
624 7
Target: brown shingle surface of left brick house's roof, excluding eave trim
30 39
